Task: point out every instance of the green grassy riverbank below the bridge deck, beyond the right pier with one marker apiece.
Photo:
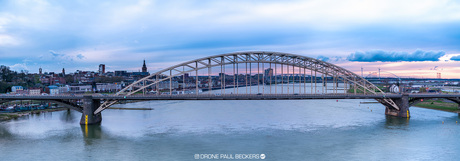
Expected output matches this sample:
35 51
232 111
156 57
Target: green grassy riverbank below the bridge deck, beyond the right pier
439 105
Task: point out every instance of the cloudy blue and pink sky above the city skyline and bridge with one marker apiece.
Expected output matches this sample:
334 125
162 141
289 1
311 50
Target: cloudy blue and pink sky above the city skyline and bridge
411 38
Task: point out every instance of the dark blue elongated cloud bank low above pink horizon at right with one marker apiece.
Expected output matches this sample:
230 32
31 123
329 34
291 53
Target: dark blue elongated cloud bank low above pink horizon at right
390 56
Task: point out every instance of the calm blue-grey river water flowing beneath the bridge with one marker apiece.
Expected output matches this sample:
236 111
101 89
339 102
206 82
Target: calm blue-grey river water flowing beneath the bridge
279 129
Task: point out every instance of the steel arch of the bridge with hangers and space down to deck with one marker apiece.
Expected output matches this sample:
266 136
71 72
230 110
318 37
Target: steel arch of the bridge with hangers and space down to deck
243 75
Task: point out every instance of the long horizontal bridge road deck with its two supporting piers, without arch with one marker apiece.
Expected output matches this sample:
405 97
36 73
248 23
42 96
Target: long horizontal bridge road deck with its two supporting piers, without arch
91 102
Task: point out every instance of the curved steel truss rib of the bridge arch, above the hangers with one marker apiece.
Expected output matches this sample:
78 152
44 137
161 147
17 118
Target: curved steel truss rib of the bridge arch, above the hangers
294 60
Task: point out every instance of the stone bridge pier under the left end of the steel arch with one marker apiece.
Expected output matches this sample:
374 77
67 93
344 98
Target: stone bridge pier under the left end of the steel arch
89 106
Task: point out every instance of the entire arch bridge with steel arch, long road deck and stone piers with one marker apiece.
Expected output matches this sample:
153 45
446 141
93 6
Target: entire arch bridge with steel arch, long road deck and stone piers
304 78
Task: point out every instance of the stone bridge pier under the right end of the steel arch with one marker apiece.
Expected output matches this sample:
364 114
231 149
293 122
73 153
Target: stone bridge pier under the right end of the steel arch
403 104
